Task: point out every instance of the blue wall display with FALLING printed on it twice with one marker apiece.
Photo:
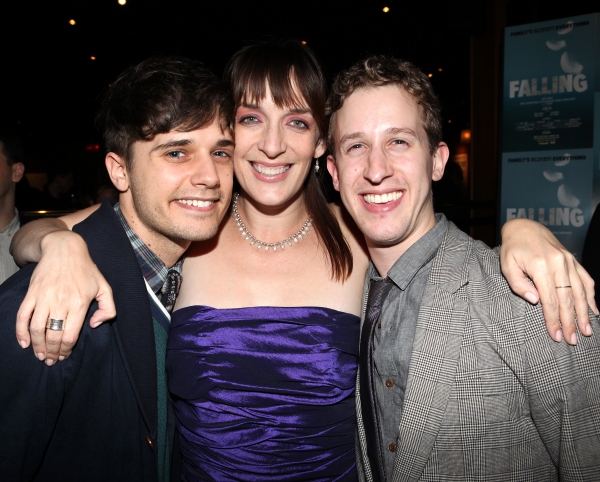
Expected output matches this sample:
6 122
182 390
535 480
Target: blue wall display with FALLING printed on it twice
551 126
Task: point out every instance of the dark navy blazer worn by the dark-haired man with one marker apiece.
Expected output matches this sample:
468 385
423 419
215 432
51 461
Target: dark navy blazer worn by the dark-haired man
94 415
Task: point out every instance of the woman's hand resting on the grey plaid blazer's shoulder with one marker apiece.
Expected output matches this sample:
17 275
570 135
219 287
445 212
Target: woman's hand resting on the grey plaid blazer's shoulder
530 251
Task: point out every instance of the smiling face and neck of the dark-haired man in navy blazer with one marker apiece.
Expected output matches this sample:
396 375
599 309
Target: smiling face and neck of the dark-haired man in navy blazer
178 185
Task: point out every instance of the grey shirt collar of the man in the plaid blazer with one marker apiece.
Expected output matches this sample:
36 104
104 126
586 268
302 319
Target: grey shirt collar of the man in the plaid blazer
417 256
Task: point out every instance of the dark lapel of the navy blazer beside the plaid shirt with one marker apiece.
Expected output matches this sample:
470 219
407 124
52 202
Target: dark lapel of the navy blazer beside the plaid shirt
113 254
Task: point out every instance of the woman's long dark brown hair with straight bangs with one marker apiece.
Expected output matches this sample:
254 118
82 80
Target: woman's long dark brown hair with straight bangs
295 79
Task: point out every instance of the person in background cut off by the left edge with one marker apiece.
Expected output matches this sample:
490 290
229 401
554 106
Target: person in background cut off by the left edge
11 172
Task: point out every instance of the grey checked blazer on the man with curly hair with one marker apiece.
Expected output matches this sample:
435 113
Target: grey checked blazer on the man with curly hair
489 395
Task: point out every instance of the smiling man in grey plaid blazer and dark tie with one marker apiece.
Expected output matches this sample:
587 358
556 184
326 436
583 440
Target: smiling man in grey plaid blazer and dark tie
458 378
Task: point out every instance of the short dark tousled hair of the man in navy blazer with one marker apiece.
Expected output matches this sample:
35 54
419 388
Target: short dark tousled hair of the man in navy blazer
159 95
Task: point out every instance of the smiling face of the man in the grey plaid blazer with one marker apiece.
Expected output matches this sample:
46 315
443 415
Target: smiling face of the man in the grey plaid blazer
383 166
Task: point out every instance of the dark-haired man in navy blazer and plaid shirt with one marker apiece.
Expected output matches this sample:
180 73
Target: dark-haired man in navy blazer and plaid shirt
104 413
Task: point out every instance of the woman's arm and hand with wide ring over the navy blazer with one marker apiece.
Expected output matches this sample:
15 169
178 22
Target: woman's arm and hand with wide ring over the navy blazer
62 286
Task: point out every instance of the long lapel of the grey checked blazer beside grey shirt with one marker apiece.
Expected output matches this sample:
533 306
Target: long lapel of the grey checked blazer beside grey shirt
436 350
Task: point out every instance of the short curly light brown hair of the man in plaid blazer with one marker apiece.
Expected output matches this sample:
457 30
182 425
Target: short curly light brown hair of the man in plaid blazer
379 71
